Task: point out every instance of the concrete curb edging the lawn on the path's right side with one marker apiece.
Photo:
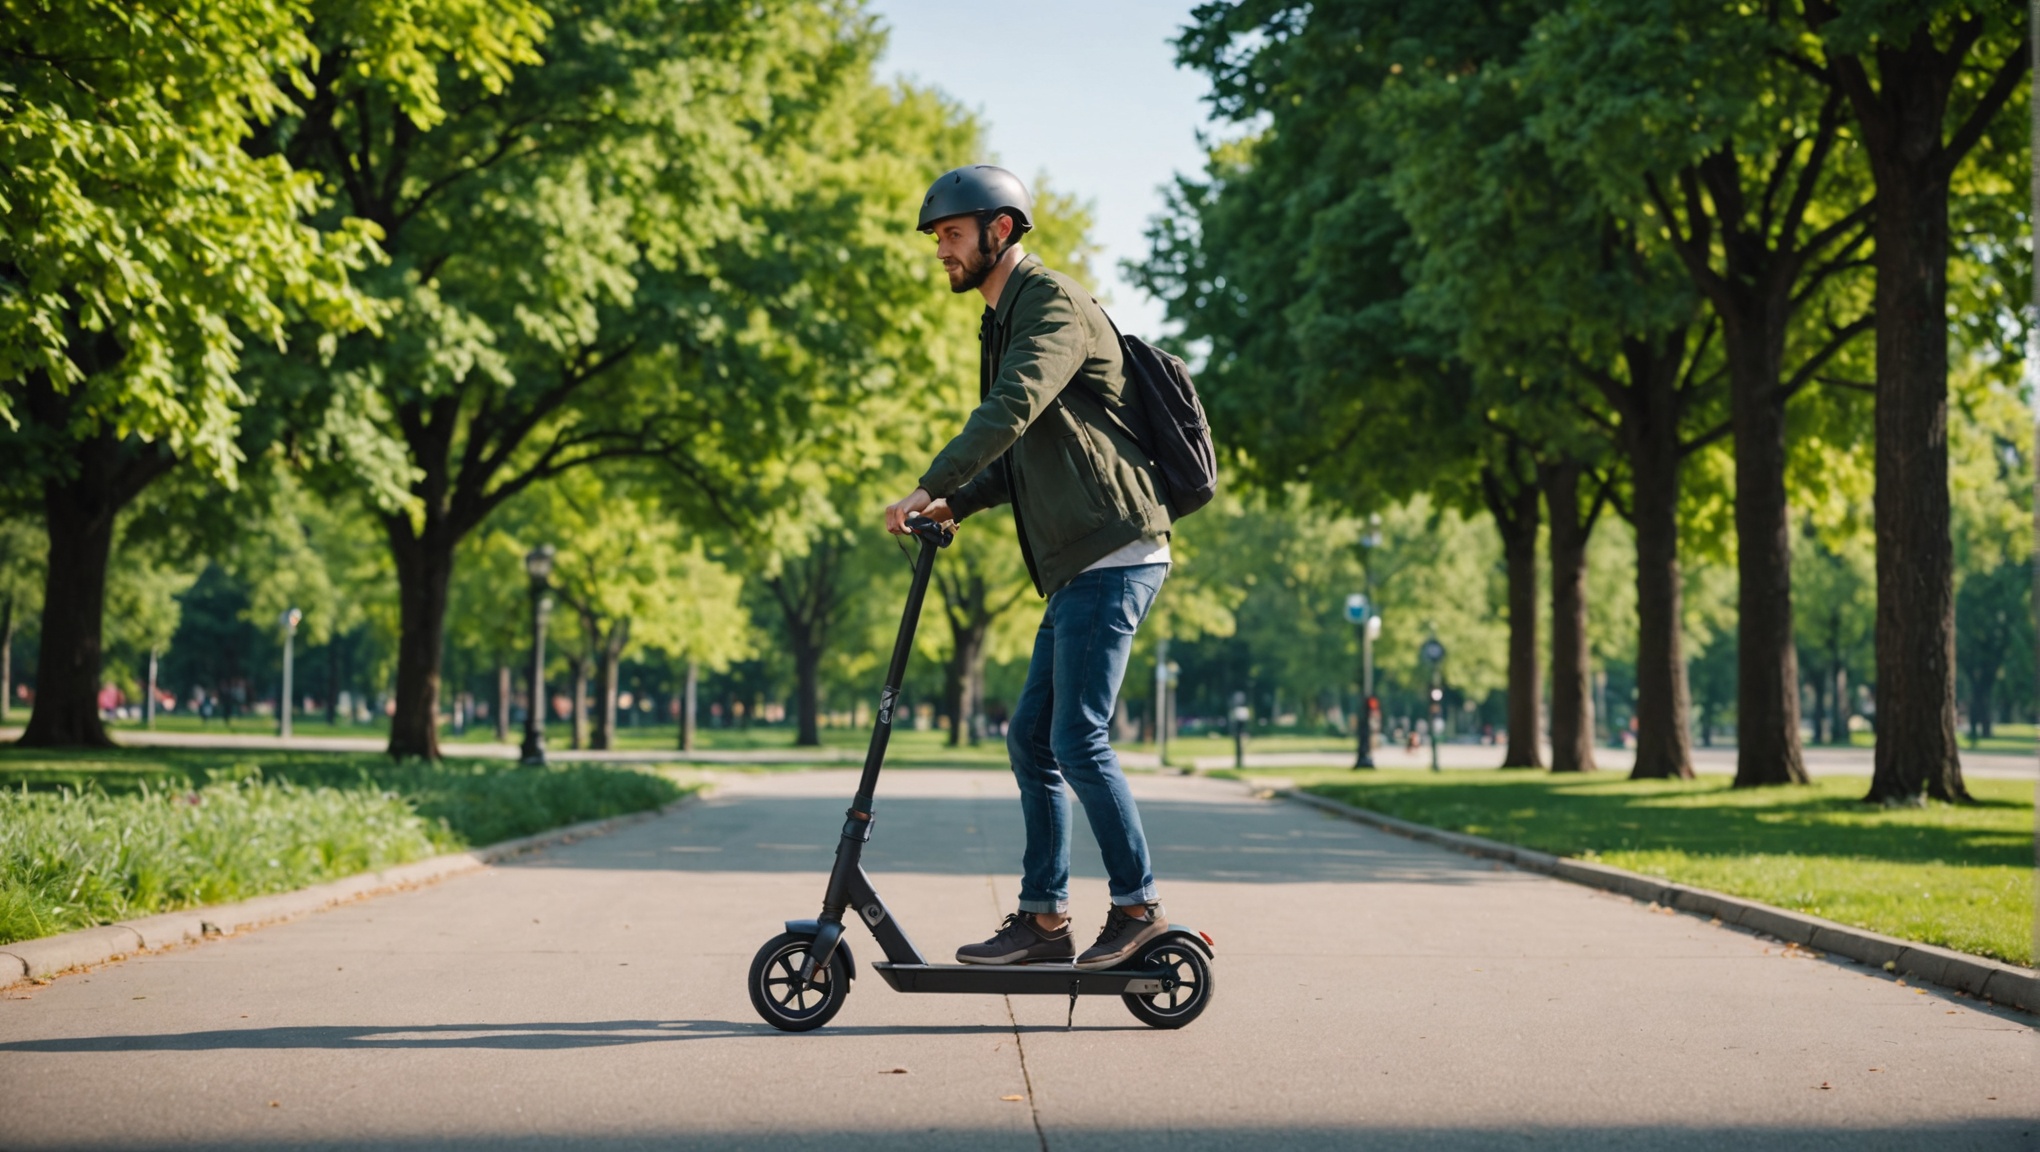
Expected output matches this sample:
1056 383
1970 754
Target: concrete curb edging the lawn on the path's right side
1923 963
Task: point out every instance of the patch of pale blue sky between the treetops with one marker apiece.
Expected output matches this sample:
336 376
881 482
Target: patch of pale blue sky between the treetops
1086 93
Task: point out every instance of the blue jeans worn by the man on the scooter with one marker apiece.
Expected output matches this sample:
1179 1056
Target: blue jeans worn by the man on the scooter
1060 731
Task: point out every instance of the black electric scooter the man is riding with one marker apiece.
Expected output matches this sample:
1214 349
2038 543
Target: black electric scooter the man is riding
801 978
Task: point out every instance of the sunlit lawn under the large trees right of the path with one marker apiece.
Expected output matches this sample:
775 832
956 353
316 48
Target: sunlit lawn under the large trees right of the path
1951 876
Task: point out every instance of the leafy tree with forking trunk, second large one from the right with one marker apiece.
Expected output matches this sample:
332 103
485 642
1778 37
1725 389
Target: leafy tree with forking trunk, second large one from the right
1696 129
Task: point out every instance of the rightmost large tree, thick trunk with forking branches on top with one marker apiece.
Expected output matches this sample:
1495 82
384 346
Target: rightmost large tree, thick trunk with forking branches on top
1925 85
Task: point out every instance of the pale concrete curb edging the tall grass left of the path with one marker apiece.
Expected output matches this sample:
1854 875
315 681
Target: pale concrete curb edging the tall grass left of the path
56 955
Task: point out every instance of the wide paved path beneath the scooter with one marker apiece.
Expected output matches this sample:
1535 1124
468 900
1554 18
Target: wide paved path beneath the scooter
1372 992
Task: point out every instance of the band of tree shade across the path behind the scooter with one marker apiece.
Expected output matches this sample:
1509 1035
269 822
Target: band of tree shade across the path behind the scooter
1227 843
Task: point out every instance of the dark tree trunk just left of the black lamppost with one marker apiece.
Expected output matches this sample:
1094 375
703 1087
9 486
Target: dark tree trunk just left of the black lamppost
423 576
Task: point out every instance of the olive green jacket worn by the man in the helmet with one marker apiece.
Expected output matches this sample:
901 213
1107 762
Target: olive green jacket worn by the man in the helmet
1043 437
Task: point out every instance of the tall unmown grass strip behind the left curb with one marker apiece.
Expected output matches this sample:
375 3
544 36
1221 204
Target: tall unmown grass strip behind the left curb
99 837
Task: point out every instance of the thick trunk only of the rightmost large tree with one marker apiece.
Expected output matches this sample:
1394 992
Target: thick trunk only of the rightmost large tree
1917 741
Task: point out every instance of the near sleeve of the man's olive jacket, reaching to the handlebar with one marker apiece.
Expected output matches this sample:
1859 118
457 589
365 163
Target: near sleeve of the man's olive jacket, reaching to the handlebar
1048 350
